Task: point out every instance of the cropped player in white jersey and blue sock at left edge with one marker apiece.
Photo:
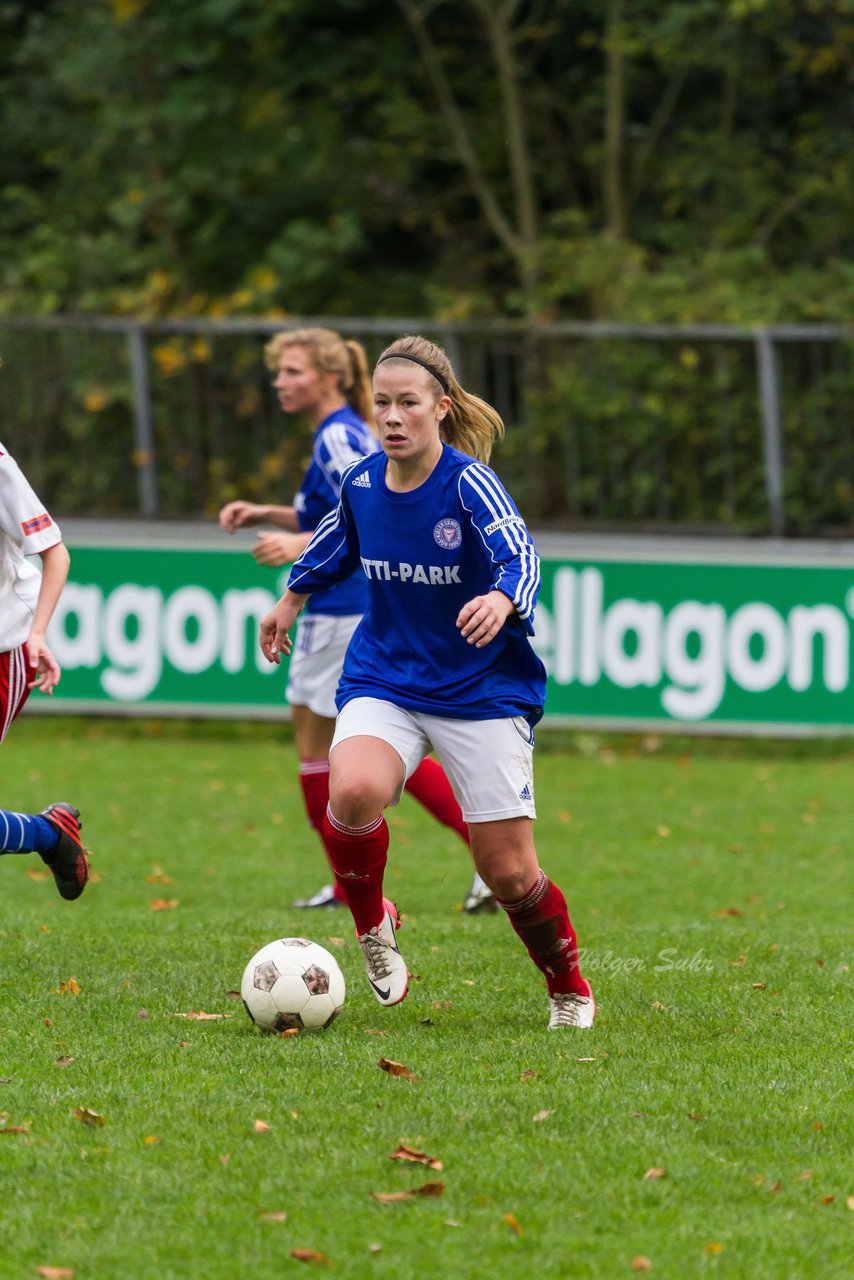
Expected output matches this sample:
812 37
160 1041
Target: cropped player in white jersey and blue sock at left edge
28 604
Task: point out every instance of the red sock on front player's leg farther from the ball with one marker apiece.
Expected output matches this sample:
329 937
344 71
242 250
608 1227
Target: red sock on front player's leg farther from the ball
544 924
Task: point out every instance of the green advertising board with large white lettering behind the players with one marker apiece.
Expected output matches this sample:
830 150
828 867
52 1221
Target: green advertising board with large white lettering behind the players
628 643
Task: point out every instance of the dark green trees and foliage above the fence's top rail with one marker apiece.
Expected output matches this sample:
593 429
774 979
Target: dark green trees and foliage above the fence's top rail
656 159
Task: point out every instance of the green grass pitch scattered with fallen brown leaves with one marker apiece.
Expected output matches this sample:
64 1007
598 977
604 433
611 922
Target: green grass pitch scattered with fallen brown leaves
702 1128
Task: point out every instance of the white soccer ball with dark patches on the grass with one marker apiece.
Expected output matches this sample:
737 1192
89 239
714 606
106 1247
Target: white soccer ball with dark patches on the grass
293 985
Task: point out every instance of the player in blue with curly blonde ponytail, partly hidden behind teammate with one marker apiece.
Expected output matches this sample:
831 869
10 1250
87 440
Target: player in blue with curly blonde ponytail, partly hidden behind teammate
325 380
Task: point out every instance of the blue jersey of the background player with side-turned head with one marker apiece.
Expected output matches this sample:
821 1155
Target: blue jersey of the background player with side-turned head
340 441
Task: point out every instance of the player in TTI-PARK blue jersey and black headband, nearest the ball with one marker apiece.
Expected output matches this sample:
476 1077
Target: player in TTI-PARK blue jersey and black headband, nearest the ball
442 661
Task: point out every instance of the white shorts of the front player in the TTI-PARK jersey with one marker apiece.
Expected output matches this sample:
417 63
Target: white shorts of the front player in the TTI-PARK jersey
490 764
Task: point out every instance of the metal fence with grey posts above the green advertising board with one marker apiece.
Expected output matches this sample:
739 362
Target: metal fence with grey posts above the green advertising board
700 428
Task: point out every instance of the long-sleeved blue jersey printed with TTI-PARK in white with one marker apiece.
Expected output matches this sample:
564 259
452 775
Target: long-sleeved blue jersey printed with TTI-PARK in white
424 555
